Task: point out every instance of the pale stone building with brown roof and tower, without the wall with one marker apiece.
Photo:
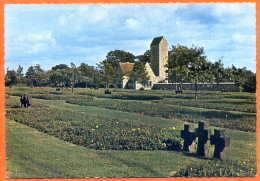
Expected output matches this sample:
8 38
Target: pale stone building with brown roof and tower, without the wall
156 69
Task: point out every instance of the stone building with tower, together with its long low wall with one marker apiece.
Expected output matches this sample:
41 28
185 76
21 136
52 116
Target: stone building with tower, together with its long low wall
157 72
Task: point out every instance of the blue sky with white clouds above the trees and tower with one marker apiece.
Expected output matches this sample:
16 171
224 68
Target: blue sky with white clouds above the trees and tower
54 34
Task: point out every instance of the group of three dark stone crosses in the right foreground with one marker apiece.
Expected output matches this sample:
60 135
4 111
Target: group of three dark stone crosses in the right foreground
203 133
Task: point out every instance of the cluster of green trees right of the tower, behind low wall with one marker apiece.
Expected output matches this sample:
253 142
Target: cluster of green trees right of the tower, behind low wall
191 65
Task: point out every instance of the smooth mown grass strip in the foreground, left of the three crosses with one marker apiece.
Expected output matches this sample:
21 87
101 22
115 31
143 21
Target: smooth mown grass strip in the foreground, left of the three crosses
39 155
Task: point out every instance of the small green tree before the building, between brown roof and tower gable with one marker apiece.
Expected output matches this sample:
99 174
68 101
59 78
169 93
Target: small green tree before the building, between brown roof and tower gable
139 74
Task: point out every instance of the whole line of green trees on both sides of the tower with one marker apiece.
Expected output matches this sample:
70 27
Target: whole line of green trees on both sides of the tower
184 65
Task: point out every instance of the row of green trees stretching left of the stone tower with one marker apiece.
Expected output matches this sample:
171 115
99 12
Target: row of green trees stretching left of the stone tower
106 73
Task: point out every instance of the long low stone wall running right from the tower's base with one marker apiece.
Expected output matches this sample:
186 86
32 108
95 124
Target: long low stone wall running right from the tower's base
231 87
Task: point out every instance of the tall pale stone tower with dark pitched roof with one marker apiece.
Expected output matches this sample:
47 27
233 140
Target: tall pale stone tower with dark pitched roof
159 57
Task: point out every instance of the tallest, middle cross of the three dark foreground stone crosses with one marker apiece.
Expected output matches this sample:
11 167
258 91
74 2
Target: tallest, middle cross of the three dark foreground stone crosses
203 134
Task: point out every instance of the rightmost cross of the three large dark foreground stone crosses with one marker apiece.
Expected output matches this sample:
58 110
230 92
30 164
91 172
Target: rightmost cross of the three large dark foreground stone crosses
220 141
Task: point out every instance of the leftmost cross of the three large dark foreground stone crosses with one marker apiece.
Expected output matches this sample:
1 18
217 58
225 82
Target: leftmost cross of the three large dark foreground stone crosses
189 136
